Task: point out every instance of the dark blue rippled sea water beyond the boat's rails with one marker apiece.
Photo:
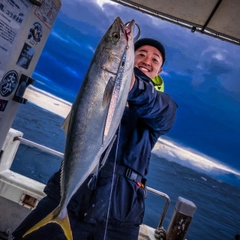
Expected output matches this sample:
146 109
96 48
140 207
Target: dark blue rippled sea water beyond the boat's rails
218 203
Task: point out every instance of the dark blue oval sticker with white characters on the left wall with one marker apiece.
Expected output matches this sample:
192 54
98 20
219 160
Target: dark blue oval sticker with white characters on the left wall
8 83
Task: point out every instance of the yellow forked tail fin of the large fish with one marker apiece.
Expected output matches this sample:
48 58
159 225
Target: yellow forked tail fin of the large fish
54 217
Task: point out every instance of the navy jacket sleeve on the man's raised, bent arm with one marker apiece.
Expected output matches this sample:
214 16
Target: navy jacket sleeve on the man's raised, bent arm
156 109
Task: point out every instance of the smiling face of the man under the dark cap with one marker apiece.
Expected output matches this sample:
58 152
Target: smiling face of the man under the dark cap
149 60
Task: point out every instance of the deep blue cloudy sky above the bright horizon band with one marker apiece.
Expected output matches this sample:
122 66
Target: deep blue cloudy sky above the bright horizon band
201 73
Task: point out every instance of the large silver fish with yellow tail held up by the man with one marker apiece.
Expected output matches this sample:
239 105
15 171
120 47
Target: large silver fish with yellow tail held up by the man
95 115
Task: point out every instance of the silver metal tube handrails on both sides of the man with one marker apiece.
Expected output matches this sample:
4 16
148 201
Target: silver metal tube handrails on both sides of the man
54 152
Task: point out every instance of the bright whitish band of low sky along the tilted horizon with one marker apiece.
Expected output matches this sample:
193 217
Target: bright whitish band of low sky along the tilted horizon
168 149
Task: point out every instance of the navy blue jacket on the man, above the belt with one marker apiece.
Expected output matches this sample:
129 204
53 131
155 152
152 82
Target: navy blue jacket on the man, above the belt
149 115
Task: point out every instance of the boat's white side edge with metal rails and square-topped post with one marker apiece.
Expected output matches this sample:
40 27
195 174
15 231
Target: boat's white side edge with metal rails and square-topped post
17 189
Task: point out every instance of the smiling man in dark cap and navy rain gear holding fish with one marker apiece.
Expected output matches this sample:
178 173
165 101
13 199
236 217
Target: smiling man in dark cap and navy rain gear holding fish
110 204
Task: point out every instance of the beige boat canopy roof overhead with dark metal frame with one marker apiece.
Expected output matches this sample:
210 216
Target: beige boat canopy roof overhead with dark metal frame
224 24
